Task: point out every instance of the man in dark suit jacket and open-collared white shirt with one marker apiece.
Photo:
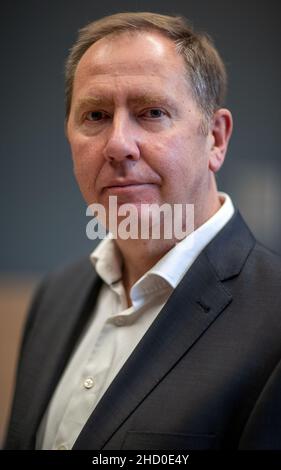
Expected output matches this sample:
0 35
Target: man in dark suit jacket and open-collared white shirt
155 343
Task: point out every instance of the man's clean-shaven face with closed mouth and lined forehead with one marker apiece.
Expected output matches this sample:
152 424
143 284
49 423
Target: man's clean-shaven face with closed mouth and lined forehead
134 127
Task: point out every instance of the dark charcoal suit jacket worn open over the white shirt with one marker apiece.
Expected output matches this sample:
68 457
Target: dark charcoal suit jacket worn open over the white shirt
196 378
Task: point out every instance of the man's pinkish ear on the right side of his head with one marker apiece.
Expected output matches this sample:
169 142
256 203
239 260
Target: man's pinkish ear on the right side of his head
220 132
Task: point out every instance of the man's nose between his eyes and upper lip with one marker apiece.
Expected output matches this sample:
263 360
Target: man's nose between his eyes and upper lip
121 144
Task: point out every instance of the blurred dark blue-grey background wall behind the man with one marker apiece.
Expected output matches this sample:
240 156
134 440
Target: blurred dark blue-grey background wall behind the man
42 213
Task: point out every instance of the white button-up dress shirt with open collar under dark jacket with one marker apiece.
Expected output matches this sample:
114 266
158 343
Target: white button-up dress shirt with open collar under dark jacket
115 329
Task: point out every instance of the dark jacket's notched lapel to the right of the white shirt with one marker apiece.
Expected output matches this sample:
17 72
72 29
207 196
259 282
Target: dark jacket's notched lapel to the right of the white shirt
194 305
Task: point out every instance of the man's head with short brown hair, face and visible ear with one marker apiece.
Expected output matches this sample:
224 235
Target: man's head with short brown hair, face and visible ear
143 125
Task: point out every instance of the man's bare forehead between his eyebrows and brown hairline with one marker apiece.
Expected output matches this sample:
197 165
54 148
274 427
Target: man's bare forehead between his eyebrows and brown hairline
146 57
